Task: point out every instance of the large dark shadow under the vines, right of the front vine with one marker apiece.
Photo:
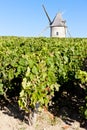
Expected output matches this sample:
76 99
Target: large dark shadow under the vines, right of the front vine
66 105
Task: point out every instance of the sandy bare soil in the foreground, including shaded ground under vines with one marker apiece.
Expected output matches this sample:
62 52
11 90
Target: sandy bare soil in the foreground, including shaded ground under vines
12 118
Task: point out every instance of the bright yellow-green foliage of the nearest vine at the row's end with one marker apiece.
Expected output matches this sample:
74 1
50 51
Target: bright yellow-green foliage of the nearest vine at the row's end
39 82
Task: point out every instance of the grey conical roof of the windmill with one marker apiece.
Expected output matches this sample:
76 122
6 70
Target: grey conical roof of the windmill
58 21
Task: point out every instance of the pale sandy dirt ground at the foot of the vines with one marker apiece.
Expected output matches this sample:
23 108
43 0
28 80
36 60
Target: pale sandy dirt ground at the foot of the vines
12 118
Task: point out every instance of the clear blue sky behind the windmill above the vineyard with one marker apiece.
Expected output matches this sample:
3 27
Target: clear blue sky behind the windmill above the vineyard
27 18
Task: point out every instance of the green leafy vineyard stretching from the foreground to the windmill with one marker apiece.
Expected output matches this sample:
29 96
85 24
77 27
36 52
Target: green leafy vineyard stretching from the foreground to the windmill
34 70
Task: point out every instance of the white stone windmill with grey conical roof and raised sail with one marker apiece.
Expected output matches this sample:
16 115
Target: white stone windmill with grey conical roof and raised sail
57 26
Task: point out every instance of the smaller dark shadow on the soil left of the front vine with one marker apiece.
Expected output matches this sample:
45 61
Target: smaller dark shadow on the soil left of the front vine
12 109
